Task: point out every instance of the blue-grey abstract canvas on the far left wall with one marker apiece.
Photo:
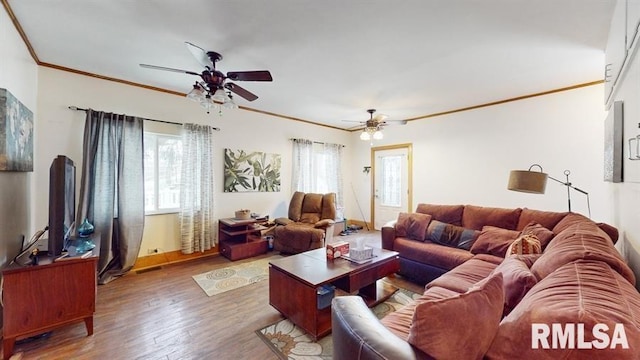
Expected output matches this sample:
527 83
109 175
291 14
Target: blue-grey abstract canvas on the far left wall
16 134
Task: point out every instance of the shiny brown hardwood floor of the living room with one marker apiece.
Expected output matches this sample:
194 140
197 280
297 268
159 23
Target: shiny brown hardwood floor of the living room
163 314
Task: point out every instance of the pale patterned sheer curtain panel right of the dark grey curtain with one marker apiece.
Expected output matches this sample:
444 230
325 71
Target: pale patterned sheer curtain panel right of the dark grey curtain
196 189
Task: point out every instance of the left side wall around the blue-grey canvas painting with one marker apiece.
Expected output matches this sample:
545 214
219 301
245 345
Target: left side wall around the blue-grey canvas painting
18 74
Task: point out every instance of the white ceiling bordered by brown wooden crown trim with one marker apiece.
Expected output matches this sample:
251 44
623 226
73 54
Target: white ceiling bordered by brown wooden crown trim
331 60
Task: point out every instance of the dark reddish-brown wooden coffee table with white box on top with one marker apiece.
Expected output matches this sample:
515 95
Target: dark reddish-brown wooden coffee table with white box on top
294 280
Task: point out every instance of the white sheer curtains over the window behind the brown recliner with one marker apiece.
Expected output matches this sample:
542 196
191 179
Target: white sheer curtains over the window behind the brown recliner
317 168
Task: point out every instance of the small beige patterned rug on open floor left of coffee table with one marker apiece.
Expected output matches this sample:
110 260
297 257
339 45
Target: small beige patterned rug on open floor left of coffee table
233 277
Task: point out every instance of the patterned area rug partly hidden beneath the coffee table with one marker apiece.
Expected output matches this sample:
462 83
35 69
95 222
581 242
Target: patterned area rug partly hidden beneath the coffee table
290 342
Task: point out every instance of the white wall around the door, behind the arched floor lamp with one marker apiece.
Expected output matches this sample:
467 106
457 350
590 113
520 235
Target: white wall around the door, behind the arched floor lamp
465 157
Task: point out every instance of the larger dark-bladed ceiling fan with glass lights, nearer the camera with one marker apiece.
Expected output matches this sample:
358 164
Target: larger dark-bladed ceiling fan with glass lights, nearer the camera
213 85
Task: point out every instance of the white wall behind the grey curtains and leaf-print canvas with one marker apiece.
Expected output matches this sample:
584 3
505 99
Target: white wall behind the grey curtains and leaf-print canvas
240 129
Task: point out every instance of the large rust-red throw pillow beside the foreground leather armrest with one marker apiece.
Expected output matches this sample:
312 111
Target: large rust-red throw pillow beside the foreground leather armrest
462 326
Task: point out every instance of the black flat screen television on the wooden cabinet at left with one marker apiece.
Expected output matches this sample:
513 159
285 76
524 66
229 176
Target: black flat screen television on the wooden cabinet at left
62 203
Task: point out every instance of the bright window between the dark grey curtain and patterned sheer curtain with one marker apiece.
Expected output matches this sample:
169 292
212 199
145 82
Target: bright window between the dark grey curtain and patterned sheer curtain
162 159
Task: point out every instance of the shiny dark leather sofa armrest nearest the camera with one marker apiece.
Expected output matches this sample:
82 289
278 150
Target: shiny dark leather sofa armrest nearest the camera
358 334
